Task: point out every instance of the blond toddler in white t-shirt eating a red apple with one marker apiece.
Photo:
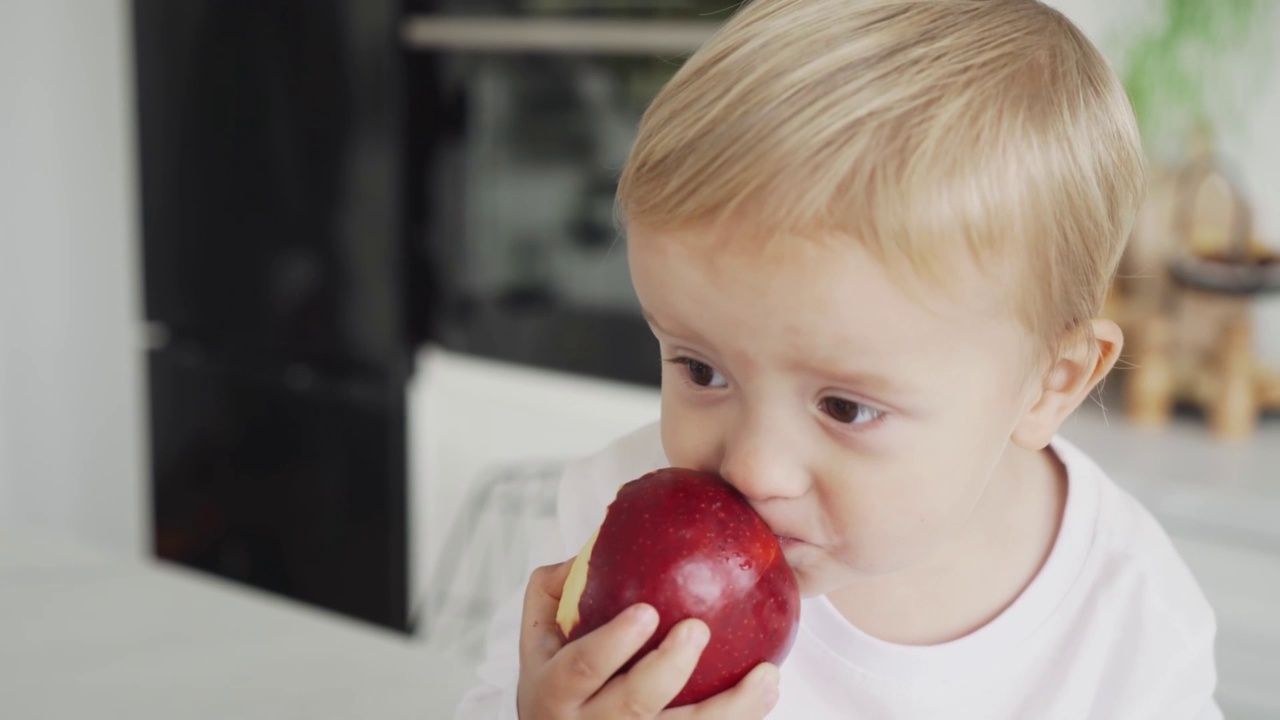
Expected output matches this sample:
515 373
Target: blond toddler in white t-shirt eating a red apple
874 240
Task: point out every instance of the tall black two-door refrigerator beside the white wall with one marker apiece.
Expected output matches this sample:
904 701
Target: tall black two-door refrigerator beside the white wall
284 297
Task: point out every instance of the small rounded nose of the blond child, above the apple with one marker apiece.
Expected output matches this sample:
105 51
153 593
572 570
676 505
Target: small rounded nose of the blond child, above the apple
762 464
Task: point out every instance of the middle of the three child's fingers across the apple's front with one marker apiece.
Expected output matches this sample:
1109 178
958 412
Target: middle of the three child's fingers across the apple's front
657 677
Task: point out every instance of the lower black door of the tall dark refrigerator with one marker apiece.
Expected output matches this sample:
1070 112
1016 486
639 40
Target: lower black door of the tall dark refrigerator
282 480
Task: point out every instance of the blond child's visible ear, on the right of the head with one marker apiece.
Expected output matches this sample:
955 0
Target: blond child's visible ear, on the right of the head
1069 381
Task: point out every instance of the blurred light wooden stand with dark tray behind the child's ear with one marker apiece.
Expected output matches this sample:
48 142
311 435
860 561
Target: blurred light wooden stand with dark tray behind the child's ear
1186 300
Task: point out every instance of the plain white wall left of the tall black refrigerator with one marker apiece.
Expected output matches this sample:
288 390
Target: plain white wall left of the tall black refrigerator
71 454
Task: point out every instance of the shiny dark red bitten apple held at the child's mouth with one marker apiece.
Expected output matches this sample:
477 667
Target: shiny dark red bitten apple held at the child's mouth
691 545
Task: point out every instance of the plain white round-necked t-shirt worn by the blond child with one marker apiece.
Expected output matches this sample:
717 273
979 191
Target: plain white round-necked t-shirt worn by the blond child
1113 627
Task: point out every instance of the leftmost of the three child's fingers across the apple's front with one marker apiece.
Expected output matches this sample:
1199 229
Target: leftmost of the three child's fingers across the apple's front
583 667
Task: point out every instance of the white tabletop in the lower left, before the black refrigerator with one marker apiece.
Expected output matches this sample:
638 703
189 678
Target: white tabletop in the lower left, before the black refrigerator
89 636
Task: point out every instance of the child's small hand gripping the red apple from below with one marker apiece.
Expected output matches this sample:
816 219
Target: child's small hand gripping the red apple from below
572 681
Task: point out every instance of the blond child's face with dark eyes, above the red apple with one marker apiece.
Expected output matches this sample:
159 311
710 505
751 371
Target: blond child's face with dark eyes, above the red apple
857 420
